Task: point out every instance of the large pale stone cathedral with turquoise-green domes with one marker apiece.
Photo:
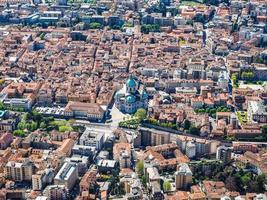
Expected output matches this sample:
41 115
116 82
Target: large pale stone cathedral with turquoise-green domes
131 97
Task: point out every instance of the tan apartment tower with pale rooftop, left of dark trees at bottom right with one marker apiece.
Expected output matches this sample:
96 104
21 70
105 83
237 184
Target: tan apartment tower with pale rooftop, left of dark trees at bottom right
183 176
